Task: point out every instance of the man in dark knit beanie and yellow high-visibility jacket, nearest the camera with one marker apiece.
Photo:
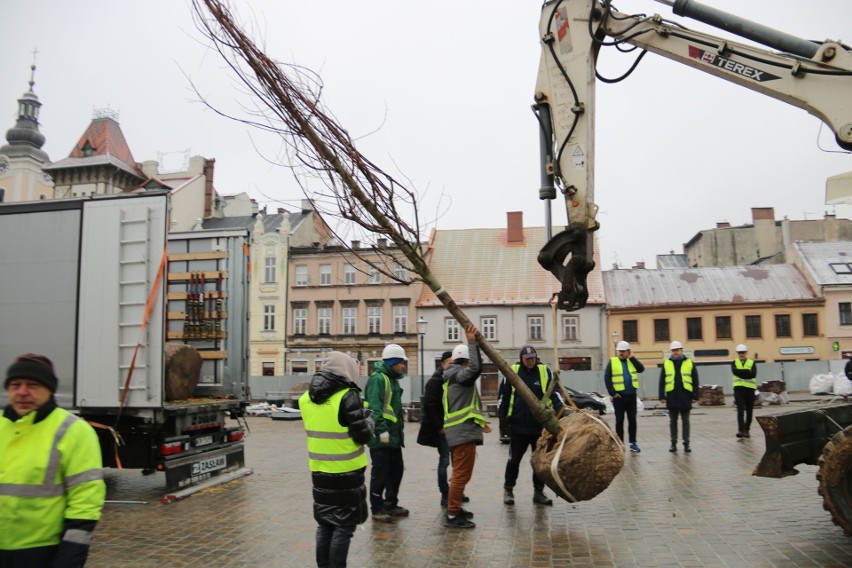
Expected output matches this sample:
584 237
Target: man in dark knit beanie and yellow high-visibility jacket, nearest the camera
52 489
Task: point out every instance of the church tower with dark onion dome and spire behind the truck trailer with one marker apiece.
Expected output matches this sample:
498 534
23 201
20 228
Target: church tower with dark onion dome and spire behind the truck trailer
22 177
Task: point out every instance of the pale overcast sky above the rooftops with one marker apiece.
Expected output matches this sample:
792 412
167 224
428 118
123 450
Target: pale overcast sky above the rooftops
439 93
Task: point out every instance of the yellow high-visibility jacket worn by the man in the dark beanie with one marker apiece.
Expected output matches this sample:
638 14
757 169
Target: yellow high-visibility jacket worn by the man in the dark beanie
51 471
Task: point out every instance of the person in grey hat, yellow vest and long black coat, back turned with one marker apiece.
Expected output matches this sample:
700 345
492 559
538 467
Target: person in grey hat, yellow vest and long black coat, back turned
338 426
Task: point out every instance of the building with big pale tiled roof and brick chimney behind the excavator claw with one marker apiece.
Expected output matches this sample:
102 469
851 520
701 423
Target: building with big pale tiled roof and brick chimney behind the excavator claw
494 276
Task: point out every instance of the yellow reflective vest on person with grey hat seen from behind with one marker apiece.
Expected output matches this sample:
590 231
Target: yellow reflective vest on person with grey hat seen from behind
330 447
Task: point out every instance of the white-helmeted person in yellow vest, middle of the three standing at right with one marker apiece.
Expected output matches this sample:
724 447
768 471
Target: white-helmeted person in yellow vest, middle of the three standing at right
678 389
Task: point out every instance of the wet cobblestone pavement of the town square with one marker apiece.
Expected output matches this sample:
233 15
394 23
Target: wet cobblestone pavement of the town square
699 509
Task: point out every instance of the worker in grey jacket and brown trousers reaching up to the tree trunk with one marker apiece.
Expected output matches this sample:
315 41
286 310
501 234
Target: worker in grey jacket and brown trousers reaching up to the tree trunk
463 424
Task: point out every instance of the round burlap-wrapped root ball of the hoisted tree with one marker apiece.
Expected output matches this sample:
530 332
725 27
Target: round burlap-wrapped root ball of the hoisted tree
582 460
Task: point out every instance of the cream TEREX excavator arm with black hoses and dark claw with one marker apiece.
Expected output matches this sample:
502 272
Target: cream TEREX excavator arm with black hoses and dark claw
815 76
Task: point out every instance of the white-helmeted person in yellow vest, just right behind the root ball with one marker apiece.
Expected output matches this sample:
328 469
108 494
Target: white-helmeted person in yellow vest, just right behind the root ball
621 378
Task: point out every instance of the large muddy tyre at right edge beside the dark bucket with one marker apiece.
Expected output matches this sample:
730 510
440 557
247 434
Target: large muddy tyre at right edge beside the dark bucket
835 479
